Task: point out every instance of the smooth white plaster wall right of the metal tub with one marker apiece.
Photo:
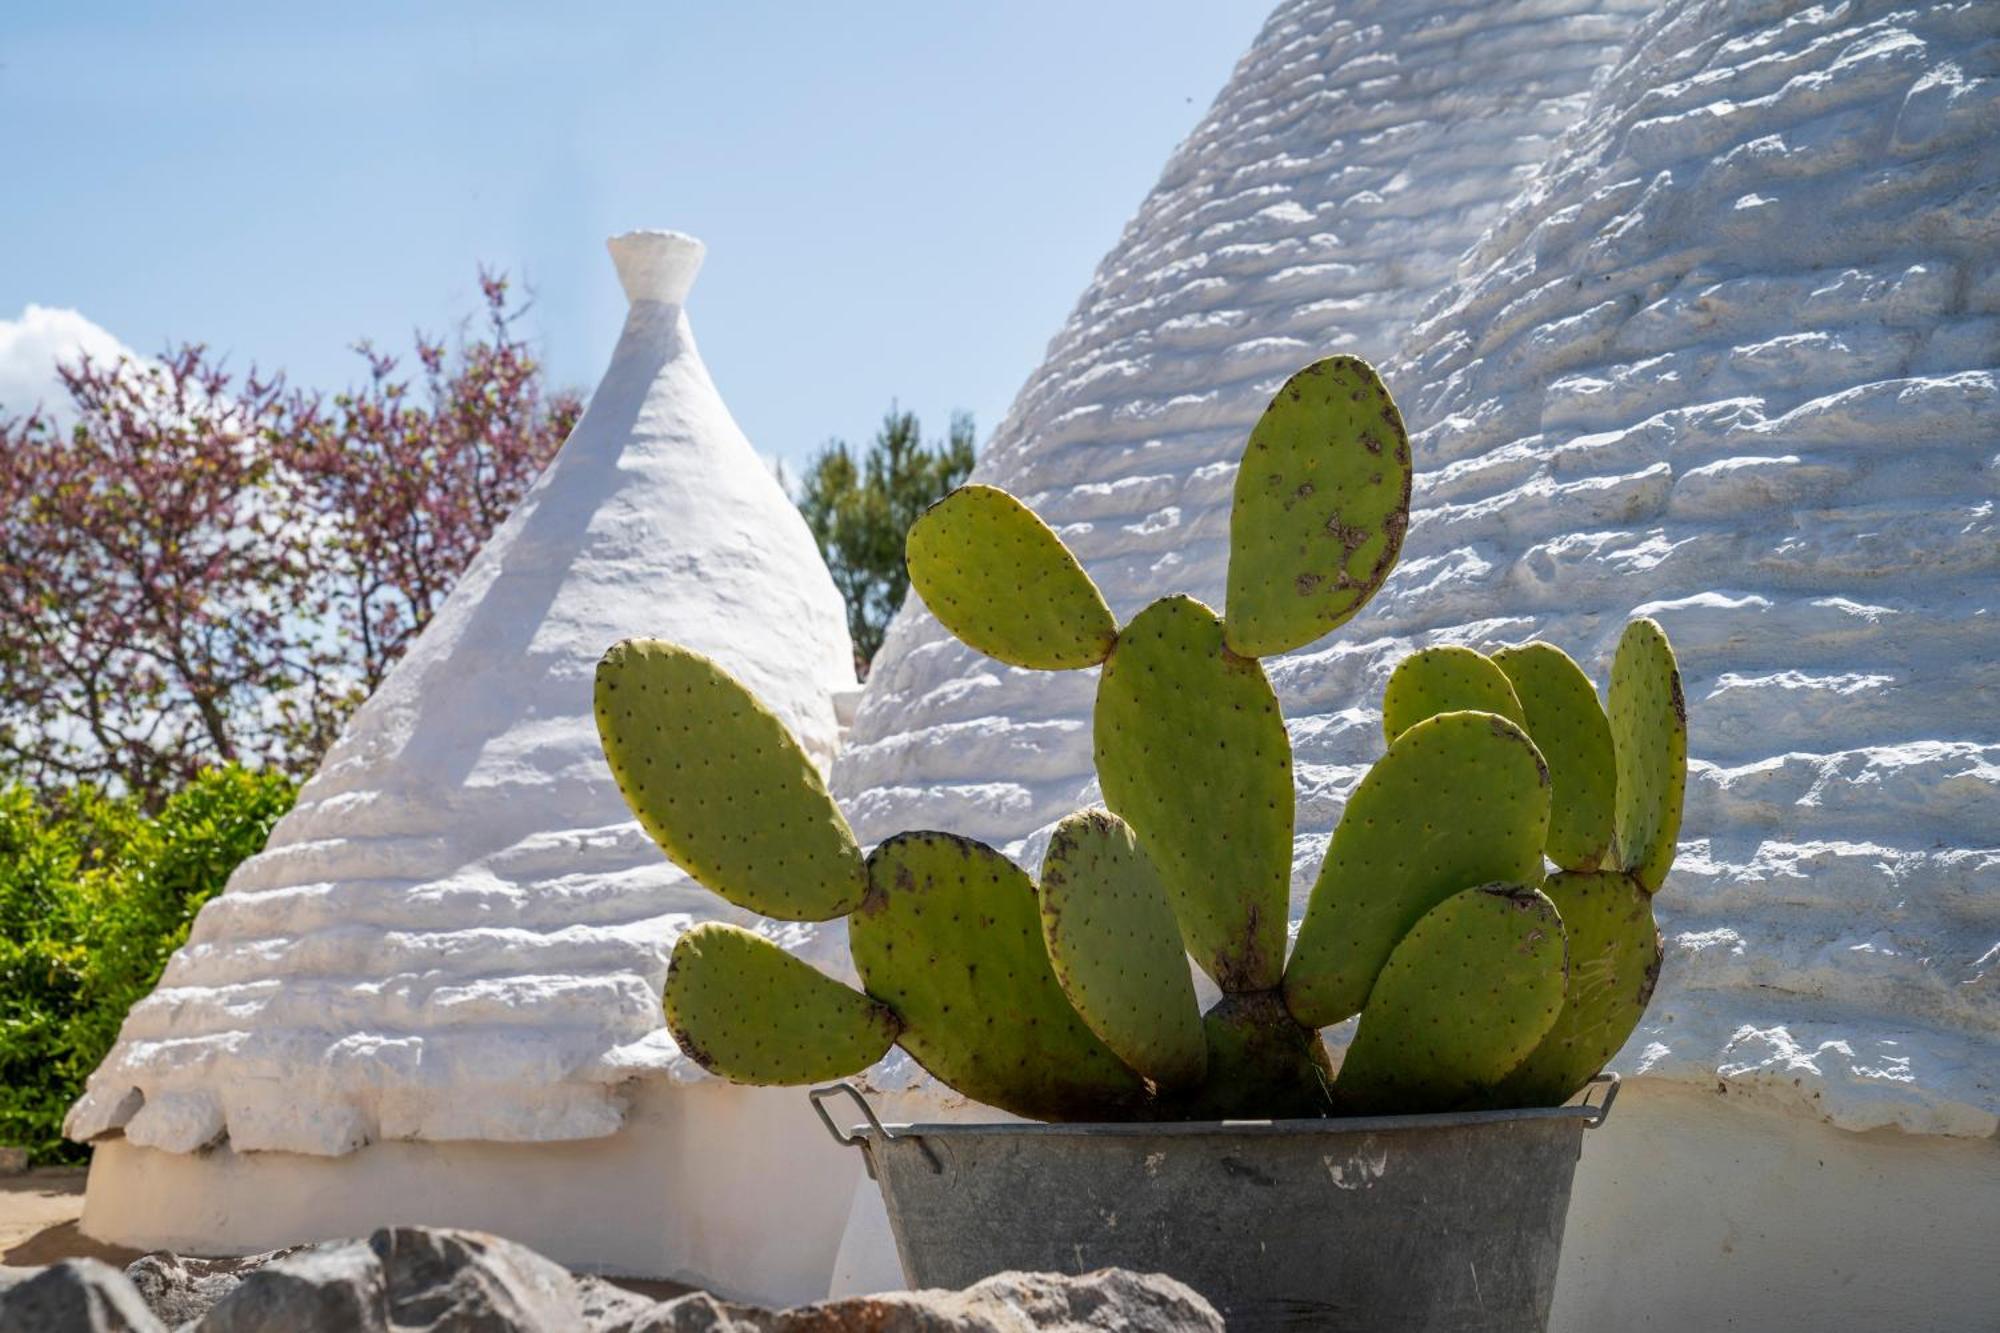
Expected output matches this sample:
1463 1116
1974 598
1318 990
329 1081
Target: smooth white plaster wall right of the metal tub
1695 1212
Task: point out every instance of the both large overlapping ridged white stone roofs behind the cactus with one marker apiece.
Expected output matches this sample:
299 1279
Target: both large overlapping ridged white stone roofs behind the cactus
1723 353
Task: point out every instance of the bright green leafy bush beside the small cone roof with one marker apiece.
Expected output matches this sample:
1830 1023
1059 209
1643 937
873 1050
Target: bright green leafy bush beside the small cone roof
93 900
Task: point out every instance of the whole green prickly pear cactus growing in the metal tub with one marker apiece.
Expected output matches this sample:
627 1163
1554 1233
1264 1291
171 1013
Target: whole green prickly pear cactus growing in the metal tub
1485 904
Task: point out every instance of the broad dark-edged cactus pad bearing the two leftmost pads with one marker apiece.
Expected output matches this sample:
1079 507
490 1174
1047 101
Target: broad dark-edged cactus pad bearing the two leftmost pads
951 940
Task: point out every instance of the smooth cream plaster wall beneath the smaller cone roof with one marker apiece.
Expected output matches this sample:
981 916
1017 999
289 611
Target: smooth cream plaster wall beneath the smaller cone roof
729 1188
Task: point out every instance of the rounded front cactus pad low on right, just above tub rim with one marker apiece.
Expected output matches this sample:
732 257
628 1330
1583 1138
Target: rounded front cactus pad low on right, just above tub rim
1461 1002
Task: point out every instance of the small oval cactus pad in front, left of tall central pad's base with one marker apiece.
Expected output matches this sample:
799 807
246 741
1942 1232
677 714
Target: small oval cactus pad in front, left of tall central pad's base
1117 950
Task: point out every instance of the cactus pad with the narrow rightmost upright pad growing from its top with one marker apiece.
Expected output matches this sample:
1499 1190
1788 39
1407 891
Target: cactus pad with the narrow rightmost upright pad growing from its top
1615 964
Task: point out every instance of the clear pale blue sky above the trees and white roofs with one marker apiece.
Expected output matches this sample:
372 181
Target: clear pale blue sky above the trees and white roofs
899 199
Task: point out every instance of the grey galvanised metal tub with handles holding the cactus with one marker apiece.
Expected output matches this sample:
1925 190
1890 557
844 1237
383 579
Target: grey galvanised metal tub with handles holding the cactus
1409 1222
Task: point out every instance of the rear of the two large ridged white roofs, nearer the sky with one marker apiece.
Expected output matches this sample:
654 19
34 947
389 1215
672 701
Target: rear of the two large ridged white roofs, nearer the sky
1355 155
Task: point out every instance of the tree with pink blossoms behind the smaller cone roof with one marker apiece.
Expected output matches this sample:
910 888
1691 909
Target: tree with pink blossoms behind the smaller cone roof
203 567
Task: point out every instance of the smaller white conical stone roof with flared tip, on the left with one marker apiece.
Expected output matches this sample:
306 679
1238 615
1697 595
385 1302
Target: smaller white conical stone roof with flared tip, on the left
461 932
